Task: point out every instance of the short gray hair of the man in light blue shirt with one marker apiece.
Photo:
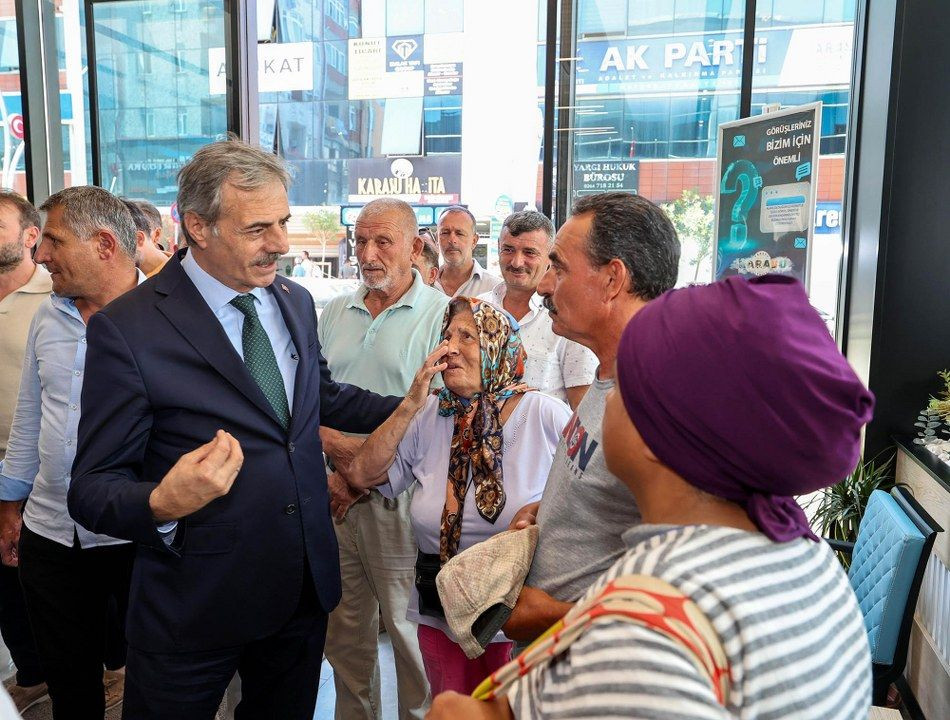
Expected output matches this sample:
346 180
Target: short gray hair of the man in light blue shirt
88 209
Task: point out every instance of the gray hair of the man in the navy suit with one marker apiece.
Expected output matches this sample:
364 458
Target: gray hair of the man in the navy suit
233 161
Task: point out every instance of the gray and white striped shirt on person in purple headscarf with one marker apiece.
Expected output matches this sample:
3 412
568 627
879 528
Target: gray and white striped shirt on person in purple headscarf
785 613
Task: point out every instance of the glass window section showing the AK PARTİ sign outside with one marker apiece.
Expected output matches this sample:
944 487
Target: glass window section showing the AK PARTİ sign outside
653 81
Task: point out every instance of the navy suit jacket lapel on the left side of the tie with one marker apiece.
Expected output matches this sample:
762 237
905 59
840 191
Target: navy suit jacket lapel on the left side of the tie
189 313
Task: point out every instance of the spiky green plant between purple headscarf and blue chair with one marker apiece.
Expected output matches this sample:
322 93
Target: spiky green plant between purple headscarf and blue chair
836 511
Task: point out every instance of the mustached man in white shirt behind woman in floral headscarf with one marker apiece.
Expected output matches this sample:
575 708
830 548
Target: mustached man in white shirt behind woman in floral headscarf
556 366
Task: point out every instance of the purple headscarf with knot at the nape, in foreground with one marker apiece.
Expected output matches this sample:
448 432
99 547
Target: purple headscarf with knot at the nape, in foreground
739 388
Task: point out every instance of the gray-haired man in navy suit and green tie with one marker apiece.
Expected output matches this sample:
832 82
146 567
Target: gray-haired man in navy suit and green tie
204 392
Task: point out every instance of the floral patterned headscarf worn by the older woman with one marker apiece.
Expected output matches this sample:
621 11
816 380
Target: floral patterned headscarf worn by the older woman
476 437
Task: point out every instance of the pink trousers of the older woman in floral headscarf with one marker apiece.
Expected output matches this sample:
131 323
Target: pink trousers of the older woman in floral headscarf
447 667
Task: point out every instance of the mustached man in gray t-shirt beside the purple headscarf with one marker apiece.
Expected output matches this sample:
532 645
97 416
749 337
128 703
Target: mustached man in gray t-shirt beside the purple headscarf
613 255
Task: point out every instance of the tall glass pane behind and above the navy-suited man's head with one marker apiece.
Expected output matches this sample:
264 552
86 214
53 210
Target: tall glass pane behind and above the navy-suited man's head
161 93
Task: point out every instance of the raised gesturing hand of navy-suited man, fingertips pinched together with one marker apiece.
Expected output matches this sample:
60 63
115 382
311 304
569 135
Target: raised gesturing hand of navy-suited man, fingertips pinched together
198 477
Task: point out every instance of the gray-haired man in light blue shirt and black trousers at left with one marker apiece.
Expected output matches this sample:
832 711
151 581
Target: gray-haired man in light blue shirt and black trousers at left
69 575
